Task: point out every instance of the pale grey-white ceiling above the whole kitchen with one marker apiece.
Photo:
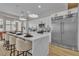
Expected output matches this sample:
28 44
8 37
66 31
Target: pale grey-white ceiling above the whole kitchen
45 10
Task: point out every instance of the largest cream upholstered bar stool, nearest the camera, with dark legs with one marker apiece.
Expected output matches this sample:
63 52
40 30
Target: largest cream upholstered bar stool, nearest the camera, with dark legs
23 46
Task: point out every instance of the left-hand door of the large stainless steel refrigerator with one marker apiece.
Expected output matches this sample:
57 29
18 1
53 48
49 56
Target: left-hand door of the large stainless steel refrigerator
56 32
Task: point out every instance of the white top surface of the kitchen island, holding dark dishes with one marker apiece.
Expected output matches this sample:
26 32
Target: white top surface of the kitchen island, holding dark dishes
35 36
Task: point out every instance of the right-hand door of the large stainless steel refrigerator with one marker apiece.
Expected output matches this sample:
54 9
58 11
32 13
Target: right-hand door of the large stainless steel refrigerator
68 32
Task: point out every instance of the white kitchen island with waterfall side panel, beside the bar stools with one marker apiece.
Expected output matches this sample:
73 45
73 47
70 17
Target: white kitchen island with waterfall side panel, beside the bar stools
40 42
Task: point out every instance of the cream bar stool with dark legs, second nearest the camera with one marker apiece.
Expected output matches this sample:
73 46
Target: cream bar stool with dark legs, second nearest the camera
12 43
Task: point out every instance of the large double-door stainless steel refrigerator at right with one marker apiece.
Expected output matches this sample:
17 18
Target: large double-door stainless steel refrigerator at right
65 31
